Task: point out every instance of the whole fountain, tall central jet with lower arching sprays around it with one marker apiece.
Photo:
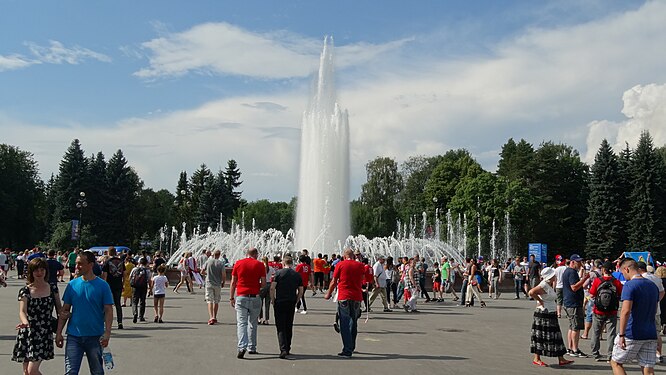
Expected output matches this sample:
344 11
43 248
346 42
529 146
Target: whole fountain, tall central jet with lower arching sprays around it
322 220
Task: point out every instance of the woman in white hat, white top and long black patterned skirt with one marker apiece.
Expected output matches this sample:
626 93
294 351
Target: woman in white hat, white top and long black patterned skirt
546 335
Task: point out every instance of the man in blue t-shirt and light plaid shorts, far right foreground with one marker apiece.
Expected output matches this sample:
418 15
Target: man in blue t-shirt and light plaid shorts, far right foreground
637 337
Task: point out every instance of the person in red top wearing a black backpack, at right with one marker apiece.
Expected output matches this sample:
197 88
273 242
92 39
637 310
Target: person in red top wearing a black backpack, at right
609 317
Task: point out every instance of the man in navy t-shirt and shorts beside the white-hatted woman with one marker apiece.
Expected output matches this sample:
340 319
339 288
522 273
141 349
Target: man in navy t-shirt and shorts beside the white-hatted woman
572 301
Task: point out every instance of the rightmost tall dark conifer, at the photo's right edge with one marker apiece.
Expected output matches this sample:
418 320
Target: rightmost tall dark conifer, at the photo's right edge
646 225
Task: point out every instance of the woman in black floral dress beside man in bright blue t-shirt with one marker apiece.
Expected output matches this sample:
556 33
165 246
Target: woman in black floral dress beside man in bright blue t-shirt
34 340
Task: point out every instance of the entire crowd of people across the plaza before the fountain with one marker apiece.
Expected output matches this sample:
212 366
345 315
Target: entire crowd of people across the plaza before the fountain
618 299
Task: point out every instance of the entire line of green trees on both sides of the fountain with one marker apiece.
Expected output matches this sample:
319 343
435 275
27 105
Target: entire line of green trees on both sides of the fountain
548 193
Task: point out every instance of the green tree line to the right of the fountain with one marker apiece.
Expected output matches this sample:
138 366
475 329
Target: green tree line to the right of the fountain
550 195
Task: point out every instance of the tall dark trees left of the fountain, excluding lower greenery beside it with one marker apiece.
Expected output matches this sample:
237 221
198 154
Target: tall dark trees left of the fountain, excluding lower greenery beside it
109 199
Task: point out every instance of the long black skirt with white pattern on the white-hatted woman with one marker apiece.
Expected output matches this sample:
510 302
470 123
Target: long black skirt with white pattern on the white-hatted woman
546 335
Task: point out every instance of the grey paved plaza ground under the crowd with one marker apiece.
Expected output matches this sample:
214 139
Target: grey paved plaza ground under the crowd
443 339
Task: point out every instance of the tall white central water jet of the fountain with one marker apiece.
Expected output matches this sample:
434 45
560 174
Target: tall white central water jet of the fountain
322 214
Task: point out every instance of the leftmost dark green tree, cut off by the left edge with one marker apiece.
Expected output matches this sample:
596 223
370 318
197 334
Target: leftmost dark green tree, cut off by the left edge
21 195
